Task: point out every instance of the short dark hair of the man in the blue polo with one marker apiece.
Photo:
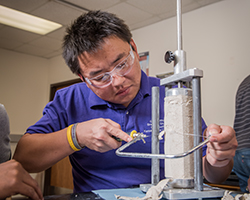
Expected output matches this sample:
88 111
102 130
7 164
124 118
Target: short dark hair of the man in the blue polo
87 33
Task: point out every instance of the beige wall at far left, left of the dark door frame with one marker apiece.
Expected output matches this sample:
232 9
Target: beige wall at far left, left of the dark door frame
23 88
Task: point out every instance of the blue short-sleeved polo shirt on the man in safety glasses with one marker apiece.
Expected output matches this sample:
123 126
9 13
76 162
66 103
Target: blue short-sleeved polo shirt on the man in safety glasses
93 170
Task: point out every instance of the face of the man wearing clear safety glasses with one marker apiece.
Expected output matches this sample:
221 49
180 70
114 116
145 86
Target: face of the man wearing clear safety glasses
123 89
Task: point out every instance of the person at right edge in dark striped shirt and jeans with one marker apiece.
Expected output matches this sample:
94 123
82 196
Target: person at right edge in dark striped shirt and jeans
242 129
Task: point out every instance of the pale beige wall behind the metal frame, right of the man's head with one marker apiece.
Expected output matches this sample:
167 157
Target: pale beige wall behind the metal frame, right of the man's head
216 39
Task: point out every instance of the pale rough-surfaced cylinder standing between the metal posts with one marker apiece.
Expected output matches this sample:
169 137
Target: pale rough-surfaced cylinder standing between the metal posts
178 126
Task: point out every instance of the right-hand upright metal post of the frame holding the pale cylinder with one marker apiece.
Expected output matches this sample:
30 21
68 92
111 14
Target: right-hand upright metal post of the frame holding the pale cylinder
198 180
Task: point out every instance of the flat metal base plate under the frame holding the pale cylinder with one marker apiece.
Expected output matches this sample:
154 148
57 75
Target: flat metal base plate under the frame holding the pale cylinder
172 193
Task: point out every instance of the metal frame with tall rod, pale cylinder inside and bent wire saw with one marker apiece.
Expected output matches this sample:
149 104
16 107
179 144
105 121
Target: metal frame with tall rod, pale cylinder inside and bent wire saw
182 129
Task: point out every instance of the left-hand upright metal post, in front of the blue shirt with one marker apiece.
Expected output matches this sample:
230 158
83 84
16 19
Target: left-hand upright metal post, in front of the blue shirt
155 163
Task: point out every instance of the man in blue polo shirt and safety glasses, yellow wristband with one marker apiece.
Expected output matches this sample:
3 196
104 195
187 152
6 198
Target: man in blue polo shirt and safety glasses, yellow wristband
113 100
